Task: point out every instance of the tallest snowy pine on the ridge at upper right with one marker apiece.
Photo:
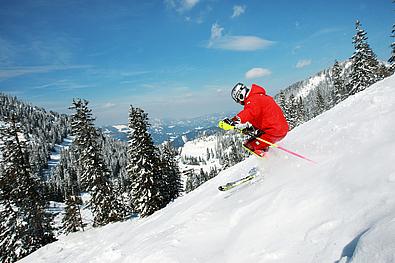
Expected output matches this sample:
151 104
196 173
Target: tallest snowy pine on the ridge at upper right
364 68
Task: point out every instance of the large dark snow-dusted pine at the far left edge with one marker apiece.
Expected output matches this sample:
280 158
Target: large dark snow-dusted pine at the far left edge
25 226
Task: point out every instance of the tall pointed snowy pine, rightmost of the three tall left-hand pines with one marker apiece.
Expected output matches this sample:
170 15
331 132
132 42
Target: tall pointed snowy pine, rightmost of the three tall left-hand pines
145 181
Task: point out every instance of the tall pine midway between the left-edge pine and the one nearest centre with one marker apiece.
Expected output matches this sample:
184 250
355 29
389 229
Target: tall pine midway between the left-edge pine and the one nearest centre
94 174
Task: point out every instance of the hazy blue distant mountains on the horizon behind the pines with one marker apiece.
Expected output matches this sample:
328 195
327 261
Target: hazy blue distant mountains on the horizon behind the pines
176 131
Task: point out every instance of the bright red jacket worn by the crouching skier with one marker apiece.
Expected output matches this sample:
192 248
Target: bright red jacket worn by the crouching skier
263 113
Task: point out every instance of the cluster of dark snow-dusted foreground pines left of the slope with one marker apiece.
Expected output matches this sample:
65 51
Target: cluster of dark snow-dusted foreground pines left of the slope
145 183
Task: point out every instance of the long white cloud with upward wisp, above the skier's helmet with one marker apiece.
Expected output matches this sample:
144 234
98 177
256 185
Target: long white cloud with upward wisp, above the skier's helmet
237 43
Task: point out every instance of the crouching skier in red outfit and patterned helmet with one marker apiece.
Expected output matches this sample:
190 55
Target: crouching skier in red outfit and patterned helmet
261 115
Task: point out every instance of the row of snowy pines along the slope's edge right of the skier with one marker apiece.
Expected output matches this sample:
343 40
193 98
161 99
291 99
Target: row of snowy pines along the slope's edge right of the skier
365 70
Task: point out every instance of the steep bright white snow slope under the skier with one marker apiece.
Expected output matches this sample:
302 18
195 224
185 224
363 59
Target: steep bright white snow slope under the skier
340 210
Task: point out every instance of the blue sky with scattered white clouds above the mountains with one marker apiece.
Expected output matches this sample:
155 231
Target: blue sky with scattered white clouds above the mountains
174 58
